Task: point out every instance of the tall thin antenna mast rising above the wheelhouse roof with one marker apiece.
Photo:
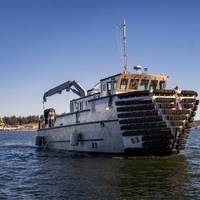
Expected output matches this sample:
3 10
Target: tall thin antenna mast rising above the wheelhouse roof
123 28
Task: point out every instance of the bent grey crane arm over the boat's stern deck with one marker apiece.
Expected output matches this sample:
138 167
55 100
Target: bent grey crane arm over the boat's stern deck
78 89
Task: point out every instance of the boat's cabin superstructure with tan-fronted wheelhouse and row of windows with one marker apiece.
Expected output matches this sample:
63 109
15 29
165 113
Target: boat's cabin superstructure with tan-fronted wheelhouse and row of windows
120 83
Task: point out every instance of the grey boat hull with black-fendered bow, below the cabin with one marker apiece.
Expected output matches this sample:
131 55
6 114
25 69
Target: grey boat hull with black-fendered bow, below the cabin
134 123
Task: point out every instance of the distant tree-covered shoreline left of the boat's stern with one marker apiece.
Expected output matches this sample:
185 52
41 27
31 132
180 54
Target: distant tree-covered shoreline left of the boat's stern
13 120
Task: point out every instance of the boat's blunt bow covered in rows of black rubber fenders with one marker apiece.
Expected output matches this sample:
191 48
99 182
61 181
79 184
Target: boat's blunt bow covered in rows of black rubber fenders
156 123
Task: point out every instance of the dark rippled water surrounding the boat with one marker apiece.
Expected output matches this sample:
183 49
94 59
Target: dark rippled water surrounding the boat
26 173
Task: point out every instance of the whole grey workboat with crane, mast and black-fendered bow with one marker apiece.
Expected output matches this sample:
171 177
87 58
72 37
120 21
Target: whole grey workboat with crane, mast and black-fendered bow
130 113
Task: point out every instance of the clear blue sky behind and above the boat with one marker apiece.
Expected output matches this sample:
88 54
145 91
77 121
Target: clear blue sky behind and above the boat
46 42
